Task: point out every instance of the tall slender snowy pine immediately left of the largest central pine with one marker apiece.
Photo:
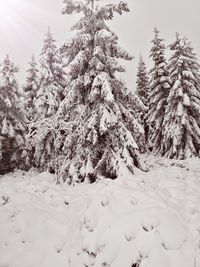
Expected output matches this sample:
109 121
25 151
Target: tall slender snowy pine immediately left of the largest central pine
49 96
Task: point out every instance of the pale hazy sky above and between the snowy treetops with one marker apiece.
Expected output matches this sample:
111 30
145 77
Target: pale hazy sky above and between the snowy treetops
24 23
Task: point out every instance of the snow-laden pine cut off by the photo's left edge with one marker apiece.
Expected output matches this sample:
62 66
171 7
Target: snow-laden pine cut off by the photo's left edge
12 120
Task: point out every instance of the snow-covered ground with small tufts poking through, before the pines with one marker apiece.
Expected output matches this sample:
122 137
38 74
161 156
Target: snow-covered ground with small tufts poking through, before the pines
147 220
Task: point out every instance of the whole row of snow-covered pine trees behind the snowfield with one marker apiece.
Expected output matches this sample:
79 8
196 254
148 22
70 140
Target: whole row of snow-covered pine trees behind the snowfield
76 118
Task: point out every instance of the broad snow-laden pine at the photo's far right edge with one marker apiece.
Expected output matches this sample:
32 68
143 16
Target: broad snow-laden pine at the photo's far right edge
181 127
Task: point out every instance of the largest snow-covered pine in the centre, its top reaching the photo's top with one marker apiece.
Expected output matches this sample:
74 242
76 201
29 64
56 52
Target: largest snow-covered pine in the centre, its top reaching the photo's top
100 132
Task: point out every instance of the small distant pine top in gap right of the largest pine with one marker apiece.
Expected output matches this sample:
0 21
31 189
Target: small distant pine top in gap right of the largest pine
142 82
